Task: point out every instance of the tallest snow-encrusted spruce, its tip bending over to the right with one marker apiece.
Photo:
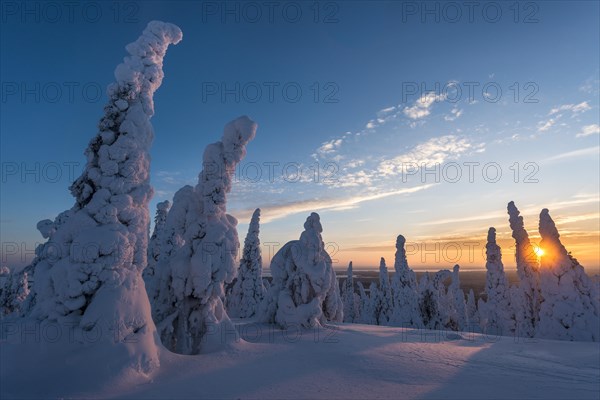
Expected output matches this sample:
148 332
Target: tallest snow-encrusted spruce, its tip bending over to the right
89 271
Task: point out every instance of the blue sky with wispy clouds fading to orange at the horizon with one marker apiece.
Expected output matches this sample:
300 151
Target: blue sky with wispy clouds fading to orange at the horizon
378 85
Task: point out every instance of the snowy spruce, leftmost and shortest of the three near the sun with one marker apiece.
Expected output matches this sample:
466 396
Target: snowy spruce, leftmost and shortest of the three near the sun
496 313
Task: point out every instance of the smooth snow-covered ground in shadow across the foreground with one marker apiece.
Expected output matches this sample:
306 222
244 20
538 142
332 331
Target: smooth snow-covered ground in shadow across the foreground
340 361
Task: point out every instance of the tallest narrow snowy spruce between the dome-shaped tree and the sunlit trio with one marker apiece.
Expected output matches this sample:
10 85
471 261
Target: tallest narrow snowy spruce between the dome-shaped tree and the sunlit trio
404 290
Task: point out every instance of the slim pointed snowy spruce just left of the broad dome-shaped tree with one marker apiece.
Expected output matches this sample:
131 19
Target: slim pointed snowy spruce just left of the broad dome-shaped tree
248 290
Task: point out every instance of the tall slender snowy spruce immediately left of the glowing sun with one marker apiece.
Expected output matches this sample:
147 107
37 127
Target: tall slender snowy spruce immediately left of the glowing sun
526 295
